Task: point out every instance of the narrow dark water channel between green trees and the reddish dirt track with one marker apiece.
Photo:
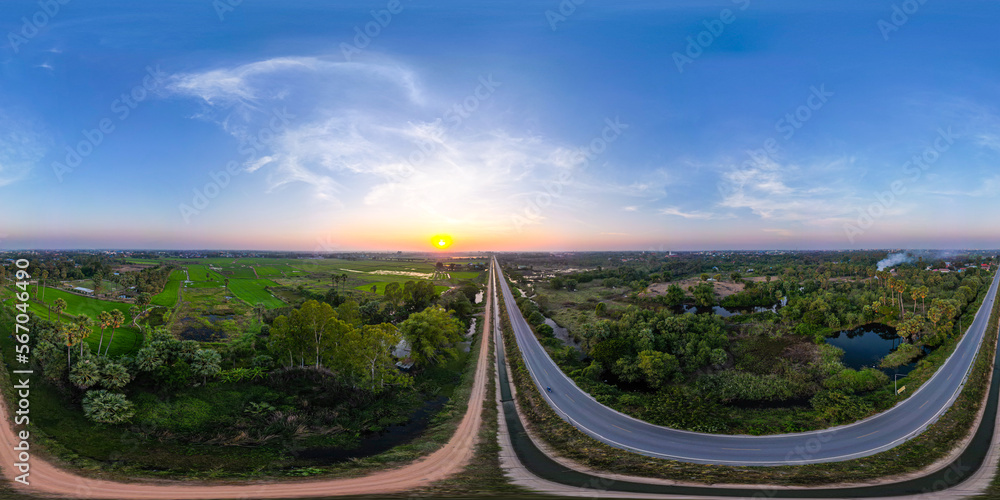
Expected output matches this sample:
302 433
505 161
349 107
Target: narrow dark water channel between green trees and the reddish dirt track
379 442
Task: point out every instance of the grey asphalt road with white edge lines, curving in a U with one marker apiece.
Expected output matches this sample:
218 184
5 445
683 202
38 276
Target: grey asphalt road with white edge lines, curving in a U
867 437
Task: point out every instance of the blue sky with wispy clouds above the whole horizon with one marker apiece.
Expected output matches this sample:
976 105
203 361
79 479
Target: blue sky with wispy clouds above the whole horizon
509 125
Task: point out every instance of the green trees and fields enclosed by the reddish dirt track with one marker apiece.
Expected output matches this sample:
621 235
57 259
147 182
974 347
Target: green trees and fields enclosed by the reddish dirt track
212 385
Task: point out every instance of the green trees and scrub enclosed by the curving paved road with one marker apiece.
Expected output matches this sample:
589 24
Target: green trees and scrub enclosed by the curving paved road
764 366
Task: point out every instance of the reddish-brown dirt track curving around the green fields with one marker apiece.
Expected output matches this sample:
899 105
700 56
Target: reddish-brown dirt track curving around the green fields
451 458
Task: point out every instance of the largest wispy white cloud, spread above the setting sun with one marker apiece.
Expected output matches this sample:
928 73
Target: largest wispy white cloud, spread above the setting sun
377 141
